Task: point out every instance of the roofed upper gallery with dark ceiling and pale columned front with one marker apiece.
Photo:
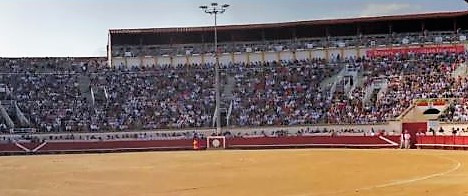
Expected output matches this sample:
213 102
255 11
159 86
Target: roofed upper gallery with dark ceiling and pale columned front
281 41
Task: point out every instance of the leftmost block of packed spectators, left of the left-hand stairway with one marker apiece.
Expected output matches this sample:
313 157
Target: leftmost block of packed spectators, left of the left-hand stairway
46 90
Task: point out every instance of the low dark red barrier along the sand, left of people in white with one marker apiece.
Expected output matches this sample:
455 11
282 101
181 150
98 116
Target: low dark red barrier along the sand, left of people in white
242 143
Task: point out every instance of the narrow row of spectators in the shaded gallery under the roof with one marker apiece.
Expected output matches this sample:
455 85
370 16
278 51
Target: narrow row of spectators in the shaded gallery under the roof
395 39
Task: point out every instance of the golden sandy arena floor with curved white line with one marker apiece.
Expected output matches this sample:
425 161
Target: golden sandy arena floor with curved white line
260 172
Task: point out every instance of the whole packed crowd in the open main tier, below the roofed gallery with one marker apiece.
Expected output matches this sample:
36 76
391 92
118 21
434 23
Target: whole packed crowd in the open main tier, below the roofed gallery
67 94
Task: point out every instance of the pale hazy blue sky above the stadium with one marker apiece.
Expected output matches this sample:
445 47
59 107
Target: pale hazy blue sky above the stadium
41 28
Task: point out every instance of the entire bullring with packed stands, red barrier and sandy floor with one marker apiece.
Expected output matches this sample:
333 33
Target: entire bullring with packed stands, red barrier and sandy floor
317 107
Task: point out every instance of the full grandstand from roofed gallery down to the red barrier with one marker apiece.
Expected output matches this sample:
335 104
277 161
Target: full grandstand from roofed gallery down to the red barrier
364 76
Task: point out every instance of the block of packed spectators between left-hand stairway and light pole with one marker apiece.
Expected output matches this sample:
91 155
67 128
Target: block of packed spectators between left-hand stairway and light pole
155 99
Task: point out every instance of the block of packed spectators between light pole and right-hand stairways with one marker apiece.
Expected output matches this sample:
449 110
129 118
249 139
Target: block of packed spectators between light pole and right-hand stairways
282 94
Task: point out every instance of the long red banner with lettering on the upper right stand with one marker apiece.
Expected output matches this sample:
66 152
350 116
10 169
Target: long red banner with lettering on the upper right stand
427 49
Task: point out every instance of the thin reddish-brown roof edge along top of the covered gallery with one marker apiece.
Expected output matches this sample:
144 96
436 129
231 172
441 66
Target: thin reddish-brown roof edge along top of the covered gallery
287 24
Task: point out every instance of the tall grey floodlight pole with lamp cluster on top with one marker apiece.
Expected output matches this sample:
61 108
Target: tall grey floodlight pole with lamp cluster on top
215 9
